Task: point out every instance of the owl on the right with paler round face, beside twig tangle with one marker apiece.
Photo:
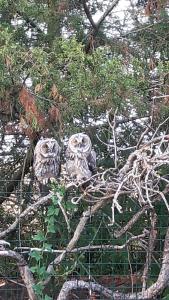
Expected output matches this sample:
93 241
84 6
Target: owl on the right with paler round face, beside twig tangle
80 158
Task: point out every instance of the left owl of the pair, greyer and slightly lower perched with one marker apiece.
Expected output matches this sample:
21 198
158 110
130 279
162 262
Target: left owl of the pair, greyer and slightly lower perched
46 161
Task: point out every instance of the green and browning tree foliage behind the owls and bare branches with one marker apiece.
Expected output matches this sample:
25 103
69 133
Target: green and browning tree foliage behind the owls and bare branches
62 72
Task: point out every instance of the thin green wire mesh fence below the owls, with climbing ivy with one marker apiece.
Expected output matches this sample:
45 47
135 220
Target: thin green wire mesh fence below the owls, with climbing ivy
105 262
